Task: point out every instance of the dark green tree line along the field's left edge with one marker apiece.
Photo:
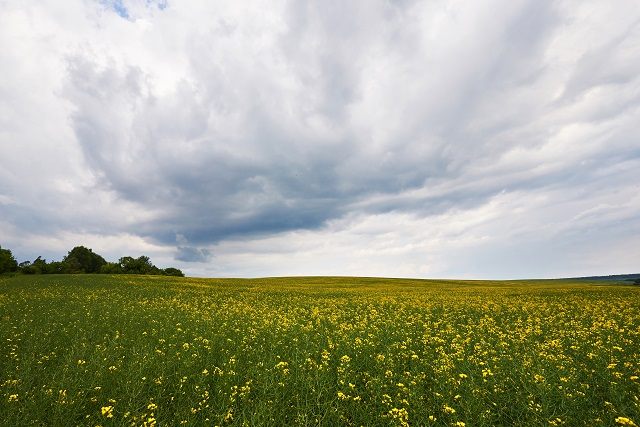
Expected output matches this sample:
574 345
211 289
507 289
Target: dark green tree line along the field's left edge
83 260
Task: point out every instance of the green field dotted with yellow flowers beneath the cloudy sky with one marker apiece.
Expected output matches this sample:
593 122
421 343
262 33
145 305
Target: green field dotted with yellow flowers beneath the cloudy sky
100 350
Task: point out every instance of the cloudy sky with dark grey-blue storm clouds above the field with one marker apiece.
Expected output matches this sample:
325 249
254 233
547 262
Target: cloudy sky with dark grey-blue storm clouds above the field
463 139
